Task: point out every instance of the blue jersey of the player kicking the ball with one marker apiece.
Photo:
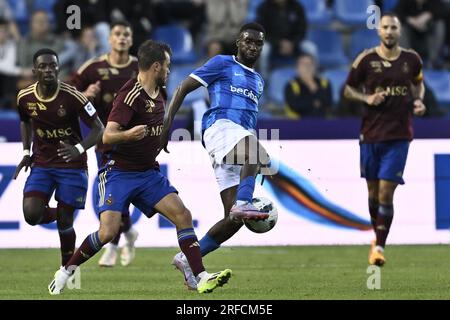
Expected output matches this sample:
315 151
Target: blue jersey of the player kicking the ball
234 91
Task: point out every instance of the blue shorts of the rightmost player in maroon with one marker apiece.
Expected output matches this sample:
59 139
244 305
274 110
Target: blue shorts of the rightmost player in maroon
384 160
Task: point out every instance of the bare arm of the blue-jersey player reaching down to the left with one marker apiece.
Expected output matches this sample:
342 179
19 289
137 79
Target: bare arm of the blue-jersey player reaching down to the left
189 84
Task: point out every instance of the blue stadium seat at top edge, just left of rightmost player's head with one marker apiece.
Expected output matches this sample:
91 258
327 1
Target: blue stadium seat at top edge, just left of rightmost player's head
351 12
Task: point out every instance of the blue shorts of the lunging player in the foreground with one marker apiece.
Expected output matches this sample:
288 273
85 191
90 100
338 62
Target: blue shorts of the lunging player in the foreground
118 189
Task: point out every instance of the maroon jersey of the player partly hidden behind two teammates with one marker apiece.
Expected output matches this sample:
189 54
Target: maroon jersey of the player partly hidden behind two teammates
112 77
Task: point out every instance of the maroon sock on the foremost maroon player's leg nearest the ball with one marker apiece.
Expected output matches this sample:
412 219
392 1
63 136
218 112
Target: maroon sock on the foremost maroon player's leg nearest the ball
191 249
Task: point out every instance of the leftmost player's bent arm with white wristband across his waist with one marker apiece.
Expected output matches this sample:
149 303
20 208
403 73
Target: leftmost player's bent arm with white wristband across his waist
70 152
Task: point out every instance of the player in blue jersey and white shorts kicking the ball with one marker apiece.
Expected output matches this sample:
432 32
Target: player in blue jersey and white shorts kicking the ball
237 156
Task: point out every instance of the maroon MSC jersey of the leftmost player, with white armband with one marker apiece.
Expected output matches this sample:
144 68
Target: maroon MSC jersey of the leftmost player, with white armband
53 120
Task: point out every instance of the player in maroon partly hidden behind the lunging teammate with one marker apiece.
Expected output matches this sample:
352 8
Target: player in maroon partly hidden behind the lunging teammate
100 79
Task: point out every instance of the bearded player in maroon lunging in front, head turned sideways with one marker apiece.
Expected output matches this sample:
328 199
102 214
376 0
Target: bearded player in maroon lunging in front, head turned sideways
131 174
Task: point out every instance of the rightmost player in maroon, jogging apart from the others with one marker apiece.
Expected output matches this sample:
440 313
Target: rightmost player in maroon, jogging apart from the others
389 80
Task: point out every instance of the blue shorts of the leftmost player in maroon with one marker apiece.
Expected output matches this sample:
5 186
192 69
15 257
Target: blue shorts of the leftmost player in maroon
70 185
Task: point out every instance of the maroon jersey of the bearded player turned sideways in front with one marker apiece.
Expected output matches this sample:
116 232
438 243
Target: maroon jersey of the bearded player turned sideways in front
132 107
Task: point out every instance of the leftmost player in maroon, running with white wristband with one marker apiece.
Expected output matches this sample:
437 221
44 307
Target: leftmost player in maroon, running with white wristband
49 112
